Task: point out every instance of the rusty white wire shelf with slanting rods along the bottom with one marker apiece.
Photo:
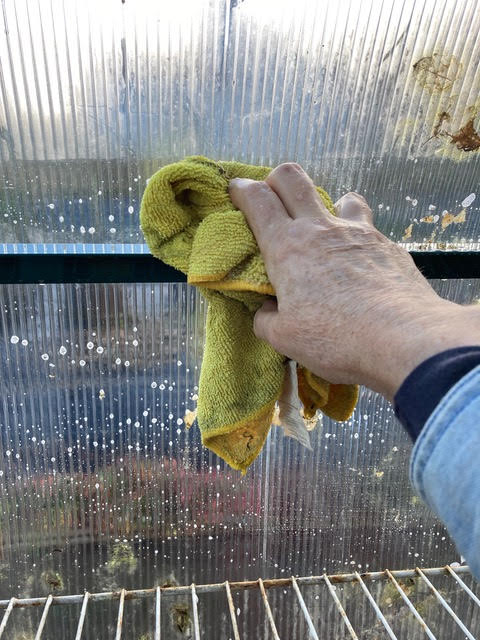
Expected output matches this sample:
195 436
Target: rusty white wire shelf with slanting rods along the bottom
158 593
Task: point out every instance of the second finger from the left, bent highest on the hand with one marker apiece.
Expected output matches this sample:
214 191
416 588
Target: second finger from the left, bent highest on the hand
297 192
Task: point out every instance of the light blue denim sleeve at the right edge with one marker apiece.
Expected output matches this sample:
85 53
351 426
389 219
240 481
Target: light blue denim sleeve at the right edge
445 465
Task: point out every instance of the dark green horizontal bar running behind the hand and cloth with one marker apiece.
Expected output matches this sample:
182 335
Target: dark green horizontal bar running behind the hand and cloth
118 267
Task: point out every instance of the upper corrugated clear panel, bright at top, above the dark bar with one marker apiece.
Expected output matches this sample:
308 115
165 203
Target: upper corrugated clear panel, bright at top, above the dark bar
380 97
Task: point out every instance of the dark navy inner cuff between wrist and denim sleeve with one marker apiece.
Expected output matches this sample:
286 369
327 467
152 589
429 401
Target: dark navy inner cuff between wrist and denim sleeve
426 385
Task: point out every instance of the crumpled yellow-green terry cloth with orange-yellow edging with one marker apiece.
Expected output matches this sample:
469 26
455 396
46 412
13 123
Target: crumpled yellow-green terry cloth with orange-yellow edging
190 223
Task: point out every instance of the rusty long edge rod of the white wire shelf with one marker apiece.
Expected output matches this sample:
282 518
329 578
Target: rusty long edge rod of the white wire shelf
234 586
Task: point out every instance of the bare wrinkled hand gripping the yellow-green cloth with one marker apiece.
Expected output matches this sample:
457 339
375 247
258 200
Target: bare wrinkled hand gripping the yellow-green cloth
351 305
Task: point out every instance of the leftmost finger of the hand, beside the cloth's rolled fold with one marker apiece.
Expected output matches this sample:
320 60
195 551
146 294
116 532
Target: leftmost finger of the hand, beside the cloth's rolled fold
262 207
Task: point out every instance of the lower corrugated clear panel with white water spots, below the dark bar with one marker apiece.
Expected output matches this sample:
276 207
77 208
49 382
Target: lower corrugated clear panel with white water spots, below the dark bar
102 486
